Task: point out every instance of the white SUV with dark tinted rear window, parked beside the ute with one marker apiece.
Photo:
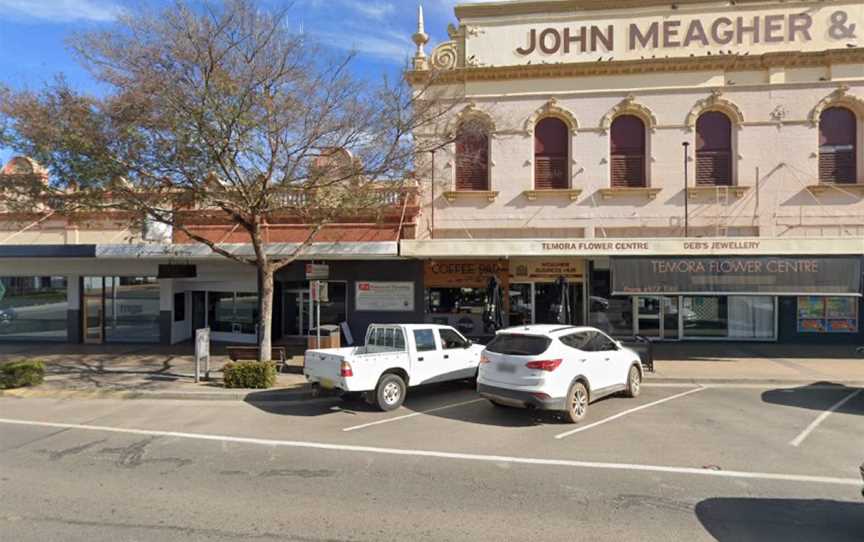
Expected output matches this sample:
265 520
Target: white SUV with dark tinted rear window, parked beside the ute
556 368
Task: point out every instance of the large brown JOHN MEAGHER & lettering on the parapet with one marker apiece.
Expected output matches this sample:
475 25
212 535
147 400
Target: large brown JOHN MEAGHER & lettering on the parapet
677 33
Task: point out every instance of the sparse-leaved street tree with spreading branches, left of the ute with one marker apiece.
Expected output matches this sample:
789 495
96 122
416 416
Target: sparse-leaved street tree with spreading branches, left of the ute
222 110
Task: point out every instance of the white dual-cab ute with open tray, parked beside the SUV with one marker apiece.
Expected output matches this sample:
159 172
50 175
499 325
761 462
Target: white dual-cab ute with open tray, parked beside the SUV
394 358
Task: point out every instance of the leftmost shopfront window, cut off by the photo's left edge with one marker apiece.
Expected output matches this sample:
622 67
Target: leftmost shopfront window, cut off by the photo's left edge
33 308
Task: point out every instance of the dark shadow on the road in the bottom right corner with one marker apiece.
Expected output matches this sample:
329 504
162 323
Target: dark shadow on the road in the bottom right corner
753 519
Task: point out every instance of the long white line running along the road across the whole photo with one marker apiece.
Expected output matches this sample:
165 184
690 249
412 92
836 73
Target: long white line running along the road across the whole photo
802 478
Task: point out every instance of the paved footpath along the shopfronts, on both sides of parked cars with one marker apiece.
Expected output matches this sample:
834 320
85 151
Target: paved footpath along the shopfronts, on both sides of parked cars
154 372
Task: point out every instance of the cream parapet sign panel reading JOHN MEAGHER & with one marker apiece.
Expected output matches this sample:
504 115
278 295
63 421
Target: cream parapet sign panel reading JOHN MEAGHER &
634 35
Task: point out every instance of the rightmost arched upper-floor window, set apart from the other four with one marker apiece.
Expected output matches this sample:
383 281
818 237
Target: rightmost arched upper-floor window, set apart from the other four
838 146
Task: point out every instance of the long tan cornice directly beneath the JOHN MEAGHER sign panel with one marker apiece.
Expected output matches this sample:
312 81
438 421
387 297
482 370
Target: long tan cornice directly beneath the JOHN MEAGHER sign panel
648 65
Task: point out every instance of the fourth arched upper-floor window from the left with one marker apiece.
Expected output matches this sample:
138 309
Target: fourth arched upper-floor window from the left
714 149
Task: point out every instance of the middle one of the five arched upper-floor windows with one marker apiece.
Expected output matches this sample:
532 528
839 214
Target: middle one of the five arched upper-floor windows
628 152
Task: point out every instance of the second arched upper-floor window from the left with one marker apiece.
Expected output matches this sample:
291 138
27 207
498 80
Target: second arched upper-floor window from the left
551 151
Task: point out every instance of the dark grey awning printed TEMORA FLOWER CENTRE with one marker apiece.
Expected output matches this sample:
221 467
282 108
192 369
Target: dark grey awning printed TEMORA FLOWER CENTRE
755 275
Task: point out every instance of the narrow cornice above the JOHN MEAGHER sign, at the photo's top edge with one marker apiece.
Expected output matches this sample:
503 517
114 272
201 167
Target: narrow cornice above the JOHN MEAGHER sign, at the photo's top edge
499 9
